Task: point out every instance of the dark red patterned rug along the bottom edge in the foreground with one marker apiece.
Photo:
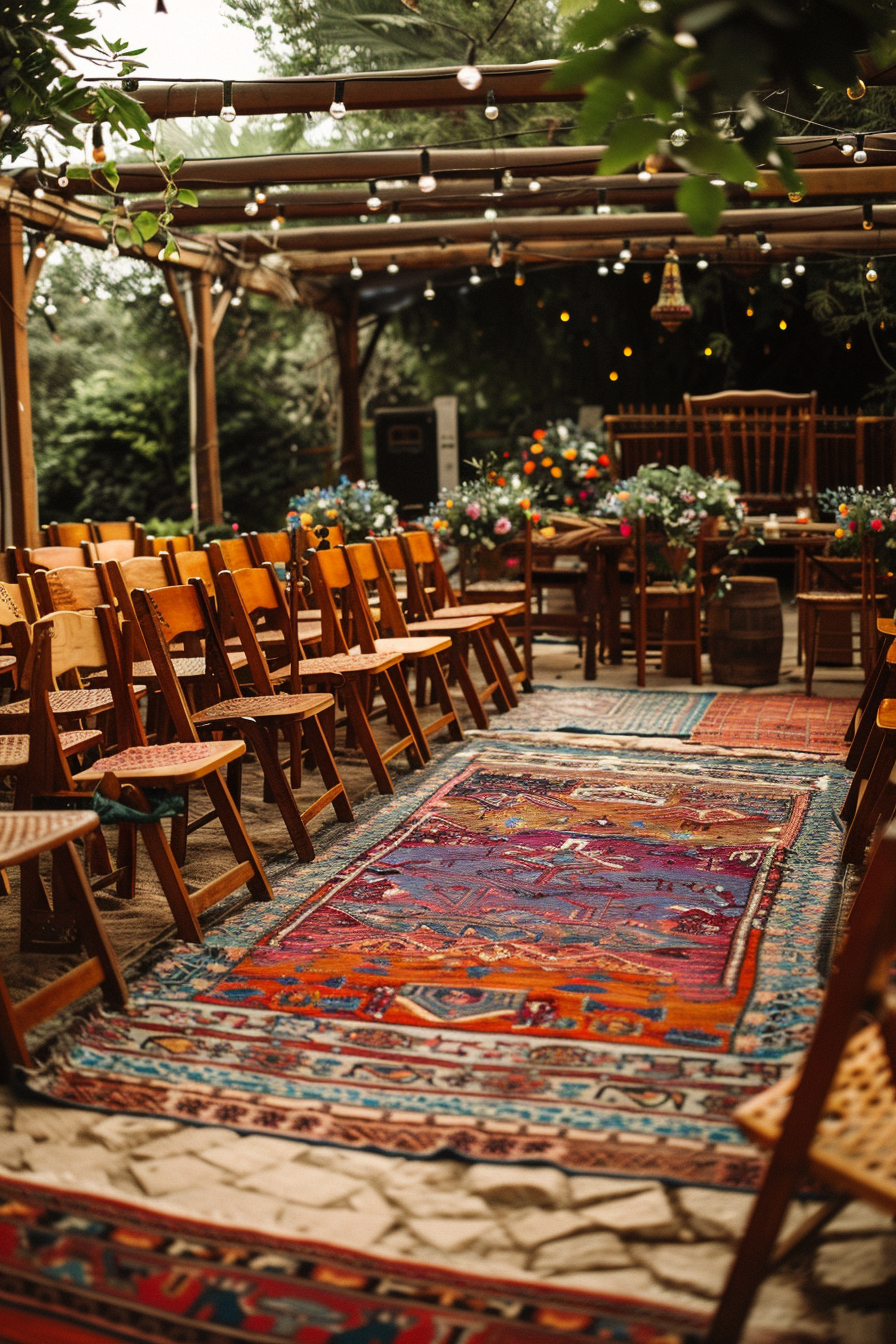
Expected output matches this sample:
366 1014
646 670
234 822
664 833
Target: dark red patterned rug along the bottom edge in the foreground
83 1269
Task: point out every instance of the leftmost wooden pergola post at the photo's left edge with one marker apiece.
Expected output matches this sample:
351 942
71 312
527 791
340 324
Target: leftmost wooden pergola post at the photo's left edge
19 483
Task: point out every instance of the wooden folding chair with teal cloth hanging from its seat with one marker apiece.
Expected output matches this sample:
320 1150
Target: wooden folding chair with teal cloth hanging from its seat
96 640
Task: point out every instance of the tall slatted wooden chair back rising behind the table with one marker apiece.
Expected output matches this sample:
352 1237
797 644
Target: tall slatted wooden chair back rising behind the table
764 440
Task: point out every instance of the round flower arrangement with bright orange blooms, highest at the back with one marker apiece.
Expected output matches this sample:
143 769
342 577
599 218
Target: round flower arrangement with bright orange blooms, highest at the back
566 468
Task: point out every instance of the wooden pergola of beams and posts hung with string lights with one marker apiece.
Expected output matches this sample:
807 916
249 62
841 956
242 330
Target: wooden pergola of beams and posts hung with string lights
304 239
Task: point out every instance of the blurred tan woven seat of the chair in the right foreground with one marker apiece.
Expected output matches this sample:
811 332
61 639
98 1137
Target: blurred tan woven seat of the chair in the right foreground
854 1144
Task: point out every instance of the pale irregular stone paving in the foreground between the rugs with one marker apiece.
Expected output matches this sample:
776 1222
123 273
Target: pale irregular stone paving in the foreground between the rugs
596 1233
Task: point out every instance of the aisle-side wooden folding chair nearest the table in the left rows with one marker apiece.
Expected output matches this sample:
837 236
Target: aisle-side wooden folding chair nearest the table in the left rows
420 557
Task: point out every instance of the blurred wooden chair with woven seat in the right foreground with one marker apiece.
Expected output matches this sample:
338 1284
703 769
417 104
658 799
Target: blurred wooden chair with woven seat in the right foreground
836 1116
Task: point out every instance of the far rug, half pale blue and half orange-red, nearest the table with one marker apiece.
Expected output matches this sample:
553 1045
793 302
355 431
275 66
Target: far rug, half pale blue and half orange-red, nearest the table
730 721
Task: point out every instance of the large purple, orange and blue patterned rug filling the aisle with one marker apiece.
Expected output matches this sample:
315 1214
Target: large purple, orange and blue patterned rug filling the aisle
558 955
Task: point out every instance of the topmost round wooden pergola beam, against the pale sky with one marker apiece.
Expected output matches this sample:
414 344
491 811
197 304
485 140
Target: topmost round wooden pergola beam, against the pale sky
365 92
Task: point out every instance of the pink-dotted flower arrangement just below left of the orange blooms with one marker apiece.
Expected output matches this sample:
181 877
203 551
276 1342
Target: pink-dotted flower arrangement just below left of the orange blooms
484 513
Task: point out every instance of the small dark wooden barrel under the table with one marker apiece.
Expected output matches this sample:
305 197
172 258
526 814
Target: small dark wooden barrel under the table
746 634
